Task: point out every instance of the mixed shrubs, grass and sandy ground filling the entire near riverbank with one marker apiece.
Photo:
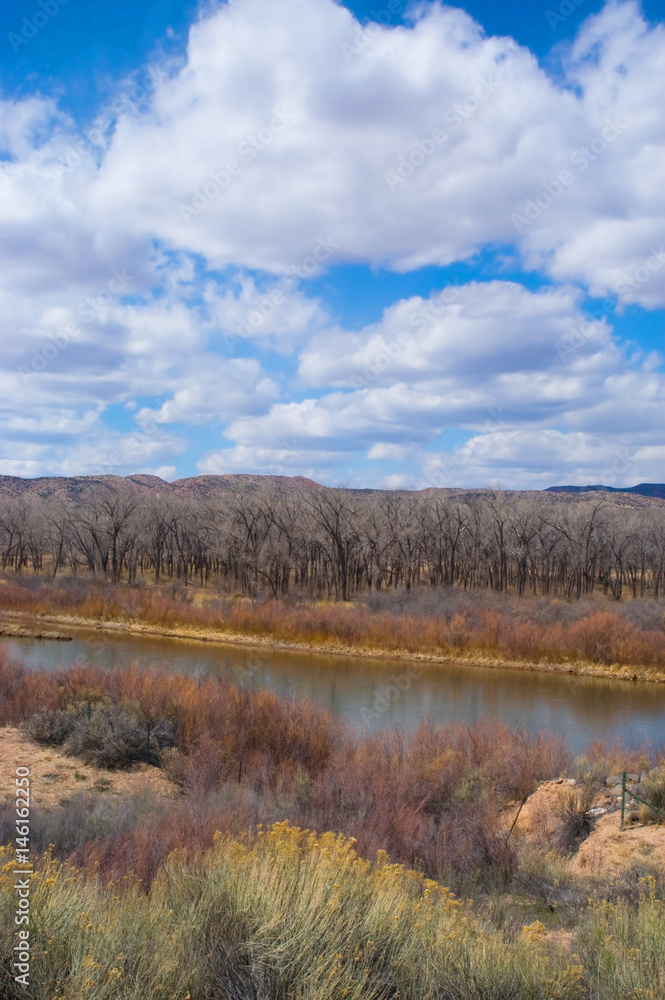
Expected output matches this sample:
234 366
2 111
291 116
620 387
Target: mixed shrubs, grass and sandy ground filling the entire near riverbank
447 862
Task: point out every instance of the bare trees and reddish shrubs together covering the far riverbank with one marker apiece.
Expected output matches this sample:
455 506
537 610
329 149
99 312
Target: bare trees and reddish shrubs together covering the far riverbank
545 581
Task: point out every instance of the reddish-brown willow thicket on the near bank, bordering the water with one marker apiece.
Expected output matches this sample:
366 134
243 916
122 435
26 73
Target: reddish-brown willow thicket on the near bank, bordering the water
431 798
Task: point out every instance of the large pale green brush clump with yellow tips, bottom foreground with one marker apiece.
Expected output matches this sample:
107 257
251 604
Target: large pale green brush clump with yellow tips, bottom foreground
288 914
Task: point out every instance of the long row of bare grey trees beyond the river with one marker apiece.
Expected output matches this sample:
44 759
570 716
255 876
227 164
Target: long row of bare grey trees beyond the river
337 542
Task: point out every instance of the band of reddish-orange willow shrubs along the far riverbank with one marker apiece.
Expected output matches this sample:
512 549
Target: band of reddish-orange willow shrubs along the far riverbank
603 637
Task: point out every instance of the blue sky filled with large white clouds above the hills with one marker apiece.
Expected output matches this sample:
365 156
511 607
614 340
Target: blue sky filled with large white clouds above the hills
372 244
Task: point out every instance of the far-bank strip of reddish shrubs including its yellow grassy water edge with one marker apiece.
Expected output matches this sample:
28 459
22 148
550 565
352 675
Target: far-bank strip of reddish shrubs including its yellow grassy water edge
592 636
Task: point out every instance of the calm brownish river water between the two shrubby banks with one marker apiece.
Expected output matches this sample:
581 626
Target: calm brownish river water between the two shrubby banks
355 689
